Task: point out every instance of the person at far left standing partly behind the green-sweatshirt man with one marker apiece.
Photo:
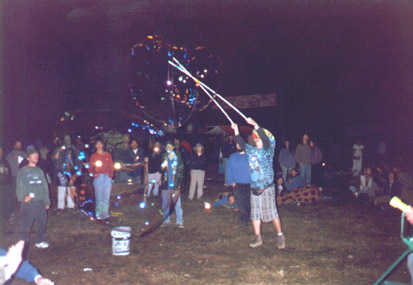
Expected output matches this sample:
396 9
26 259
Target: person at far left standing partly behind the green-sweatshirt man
14 158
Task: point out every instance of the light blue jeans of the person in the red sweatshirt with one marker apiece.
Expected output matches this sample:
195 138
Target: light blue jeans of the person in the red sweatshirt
103 186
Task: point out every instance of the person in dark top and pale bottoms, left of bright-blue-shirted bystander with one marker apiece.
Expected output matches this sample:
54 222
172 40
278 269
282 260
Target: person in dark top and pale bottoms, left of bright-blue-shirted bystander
154 167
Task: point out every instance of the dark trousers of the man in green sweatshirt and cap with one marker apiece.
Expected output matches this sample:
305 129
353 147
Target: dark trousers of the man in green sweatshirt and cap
33 211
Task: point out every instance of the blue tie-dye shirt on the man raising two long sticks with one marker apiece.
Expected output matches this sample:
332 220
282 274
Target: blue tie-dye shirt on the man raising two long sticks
260 160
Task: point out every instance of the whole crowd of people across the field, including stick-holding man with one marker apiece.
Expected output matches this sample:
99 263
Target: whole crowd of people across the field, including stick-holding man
253 188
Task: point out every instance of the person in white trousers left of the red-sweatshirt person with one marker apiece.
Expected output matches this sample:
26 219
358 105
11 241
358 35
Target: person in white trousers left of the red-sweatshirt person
68 167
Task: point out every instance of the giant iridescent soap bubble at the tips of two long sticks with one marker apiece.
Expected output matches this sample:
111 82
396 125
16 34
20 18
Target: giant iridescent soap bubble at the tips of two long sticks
162 93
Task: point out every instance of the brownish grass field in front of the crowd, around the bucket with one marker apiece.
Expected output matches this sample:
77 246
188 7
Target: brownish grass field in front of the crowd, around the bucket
337 241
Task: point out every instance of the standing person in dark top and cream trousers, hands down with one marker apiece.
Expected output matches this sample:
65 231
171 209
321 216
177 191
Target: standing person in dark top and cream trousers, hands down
198 164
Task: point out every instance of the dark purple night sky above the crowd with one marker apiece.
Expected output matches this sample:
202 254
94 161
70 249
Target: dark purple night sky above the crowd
332 63
